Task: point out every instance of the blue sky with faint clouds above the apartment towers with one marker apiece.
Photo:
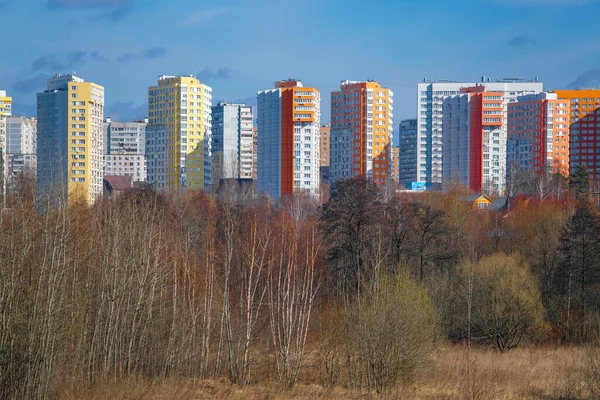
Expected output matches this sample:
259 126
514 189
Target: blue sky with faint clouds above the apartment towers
241 46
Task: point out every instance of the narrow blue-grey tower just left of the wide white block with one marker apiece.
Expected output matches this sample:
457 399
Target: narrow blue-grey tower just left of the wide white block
407 153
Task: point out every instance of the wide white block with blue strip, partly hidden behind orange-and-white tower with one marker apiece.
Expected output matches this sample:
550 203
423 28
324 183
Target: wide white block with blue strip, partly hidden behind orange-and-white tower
430 98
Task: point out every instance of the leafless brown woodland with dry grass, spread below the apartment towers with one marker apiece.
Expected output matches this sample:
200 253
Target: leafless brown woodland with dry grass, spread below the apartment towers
373 294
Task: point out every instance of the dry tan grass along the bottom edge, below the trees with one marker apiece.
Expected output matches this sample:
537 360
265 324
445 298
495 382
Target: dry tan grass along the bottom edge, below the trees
455 373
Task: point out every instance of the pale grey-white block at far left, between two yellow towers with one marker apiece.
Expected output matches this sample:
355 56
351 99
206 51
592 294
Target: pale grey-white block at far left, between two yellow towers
21 146
